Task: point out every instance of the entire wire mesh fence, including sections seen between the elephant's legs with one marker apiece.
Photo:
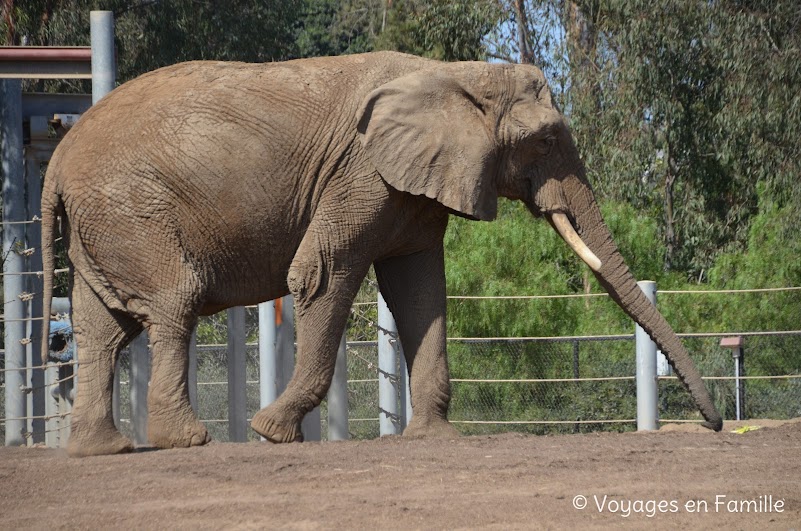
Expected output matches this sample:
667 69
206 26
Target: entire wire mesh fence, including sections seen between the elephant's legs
530 385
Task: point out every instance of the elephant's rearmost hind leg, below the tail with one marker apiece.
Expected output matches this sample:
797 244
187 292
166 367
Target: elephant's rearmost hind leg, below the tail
100 334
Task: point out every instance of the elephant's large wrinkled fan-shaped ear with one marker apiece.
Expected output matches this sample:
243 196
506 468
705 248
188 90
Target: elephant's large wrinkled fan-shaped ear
427 135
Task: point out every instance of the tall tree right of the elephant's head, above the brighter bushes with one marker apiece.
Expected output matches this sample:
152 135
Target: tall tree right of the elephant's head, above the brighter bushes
683 129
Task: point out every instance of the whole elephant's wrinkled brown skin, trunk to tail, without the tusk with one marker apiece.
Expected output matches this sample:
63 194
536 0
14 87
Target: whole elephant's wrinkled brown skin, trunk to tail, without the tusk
207 185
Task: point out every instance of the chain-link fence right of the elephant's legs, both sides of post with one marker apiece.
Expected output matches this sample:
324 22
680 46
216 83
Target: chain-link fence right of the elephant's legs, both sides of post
587 384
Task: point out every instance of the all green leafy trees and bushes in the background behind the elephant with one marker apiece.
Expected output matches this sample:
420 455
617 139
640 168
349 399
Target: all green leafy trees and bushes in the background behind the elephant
686 112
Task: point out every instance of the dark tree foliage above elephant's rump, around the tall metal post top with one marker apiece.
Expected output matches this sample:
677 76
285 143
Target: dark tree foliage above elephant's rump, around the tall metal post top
155 33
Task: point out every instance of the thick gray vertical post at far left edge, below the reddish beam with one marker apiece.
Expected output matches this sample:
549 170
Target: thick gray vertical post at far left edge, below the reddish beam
13 235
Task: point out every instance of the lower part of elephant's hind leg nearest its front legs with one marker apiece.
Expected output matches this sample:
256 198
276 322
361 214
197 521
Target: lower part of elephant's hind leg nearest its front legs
172 423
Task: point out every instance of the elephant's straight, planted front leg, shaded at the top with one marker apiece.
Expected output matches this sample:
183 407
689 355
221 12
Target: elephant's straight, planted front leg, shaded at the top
414 288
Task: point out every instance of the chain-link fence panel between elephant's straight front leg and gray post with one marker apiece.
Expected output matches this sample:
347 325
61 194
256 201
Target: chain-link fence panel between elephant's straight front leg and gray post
542 385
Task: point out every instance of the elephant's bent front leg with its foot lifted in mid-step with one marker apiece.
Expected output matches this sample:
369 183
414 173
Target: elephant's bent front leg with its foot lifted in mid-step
324 277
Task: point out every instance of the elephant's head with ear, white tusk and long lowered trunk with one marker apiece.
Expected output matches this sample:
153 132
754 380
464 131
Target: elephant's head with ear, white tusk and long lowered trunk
464 133
